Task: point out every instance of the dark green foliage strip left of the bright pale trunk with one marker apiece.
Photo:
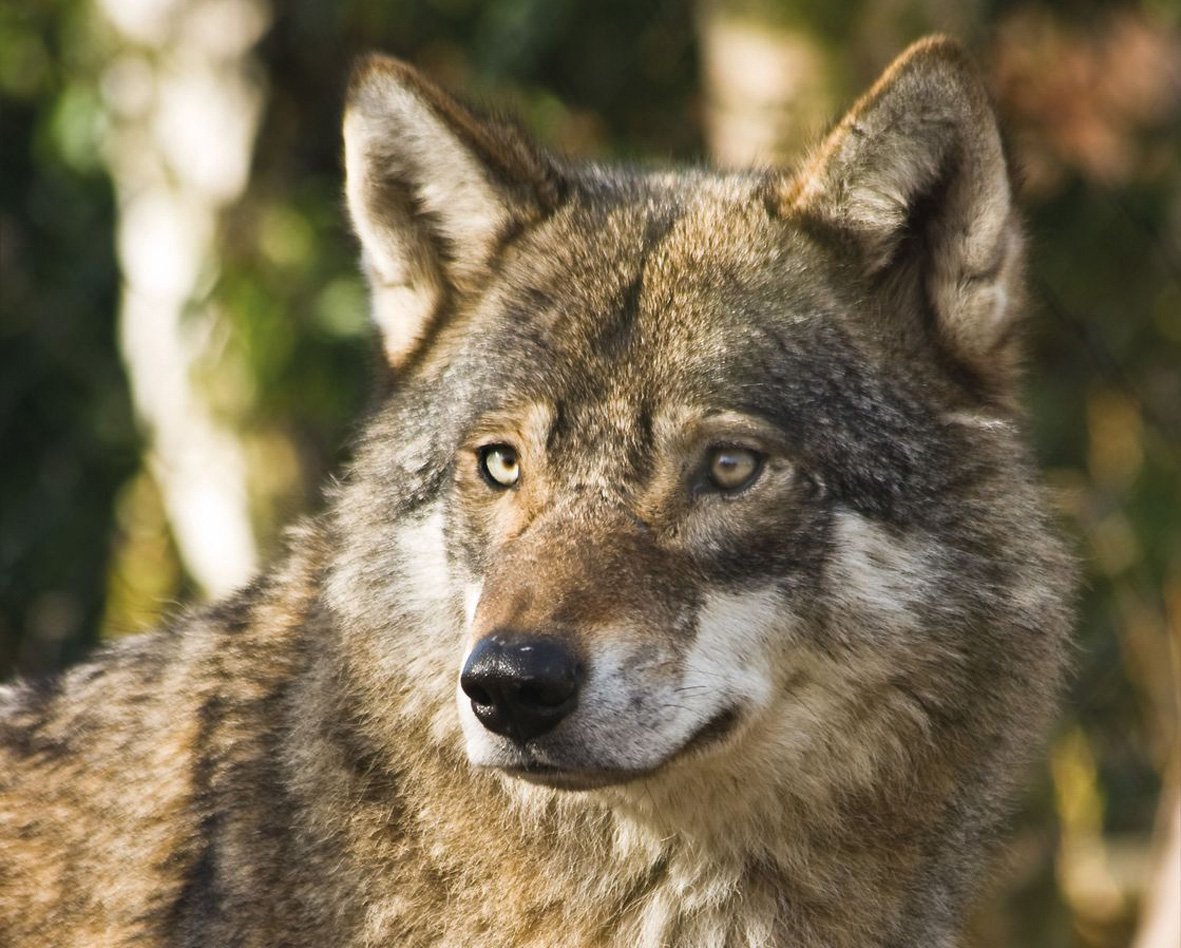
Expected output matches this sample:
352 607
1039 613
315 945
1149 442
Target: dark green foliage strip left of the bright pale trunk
66 421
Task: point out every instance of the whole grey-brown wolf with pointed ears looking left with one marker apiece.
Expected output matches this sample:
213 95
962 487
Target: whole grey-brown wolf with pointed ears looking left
691 585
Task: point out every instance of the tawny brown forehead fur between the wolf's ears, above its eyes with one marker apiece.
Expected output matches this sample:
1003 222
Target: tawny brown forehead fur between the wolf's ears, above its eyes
678 277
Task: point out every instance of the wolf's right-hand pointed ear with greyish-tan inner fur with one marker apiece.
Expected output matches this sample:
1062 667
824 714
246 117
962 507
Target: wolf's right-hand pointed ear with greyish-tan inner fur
916 175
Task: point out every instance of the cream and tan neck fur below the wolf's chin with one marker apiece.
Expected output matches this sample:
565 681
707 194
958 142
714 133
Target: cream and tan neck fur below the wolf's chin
547 868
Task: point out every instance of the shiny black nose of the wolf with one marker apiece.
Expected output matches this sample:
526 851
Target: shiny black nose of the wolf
521 687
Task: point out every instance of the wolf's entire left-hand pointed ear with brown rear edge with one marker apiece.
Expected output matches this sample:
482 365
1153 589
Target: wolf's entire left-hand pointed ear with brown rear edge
434 191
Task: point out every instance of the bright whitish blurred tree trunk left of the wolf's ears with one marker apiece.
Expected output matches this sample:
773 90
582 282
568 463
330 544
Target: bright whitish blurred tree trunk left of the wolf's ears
186 97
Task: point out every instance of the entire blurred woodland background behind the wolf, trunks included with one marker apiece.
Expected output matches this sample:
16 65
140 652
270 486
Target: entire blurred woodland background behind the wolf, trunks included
185 351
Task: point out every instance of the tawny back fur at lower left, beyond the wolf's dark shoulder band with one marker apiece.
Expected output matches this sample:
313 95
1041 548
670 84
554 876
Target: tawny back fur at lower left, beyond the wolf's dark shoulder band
100 780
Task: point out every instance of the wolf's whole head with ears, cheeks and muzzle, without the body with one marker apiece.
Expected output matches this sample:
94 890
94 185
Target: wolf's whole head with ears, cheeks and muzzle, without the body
684 474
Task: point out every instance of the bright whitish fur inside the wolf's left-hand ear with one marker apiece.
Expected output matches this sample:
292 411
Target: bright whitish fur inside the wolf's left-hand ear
396 141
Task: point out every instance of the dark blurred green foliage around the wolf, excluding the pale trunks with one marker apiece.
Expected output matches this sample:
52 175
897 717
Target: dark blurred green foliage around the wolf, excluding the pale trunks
1091 93
